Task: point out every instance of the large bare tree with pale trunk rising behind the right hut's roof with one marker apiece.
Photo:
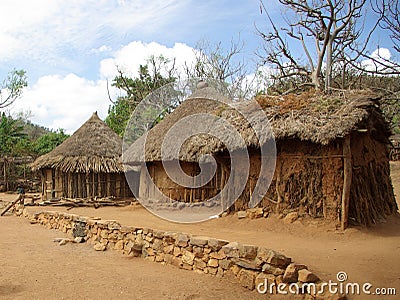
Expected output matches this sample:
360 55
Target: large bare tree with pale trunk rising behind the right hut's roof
322 30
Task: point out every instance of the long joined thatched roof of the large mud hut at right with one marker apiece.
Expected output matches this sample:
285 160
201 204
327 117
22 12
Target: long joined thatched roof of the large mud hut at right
308 117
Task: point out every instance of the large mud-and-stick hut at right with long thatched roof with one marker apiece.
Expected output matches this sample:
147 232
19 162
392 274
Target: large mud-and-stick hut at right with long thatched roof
332 157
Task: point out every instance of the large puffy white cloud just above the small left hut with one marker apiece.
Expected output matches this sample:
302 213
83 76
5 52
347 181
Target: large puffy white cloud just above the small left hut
64 102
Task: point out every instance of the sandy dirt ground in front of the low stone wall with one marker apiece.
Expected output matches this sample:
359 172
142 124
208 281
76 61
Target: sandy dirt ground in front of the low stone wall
32 266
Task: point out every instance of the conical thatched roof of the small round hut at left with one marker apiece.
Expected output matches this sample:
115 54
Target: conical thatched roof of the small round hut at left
94 147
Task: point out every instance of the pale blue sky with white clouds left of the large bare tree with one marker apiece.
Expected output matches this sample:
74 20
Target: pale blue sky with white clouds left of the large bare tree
70 48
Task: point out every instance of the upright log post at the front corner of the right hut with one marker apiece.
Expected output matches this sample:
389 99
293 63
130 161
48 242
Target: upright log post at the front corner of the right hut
347 174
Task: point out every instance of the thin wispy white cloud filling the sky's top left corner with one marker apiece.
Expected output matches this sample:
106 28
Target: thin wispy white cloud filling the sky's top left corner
46 30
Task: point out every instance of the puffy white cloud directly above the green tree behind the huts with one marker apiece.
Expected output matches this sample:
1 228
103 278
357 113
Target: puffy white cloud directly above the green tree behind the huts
131 56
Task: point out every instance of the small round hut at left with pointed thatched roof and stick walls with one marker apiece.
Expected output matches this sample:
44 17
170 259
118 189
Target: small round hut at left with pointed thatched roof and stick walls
87 164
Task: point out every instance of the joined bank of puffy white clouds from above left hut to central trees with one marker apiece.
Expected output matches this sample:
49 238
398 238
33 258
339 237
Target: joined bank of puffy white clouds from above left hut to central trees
67 101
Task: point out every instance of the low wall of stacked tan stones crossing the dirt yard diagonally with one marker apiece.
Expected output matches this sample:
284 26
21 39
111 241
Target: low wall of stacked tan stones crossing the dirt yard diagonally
250 264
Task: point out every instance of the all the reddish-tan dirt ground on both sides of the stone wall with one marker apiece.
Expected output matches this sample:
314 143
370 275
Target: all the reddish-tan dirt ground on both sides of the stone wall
32 266
